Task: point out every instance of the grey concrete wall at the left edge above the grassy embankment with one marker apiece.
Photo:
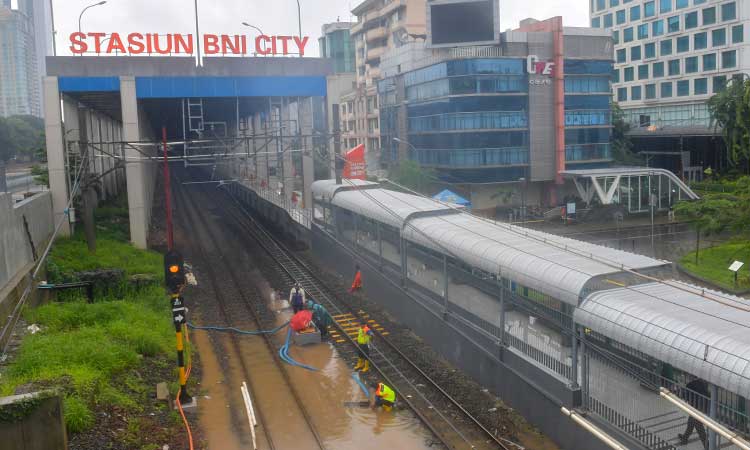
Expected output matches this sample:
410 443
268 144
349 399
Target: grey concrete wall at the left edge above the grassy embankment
15 249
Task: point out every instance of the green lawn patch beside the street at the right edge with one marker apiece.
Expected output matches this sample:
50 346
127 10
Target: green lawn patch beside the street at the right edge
713 264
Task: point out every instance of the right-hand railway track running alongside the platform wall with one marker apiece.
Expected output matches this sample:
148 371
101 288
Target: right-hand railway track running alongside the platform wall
435 407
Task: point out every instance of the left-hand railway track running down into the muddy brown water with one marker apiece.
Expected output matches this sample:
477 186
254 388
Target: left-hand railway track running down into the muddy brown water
232 317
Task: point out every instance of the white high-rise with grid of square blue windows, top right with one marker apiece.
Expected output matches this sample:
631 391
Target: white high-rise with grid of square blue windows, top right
670 57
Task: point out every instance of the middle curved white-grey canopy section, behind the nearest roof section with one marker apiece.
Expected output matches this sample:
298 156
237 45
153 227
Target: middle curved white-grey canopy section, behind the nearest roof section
558 267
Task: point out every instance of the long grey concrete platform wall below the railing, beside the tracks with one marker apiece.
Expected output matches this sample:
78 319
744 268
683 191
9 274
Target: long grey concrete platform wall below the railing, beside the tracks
522 386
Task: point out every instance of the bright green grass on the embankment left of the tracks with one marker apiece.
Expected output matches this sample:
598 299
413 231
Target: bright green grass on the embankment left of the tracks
91 352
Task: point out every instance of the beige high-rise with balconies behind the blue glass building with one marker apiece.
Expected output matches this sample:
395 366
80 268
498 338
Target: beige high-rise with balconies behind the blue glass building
381 25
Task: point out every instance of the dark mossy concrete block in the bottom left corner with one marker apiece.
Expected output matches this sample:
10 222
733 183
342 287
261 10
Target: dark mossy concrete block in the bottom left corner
41 426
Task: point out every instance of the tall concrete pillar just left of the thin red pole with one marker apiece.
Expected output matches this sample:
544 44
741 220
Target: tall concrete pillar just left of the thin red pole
134 169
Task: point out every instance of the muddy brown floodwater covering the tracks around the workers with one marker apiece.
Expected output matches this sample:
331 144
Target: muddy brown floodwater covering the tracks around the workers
324 393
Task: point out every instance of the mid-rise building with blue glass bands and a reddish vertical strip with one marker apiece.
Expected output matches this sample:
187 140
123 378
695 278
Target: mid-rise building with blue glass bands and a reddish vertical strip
484 116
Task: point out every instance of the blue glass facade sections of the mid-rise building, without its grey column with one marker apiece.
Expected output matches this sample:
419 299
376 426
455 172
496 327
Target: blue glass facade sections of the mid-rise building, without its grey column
469 118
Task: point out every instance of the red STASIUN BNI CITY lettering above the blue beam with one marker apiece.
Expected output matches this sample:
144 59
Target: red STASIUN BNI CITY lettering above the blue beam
184 44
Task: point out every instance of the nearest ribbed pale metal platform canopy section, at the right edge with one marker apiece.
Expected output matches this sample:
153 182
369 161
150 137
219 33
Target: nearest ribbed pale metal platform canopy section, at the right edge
707 336
